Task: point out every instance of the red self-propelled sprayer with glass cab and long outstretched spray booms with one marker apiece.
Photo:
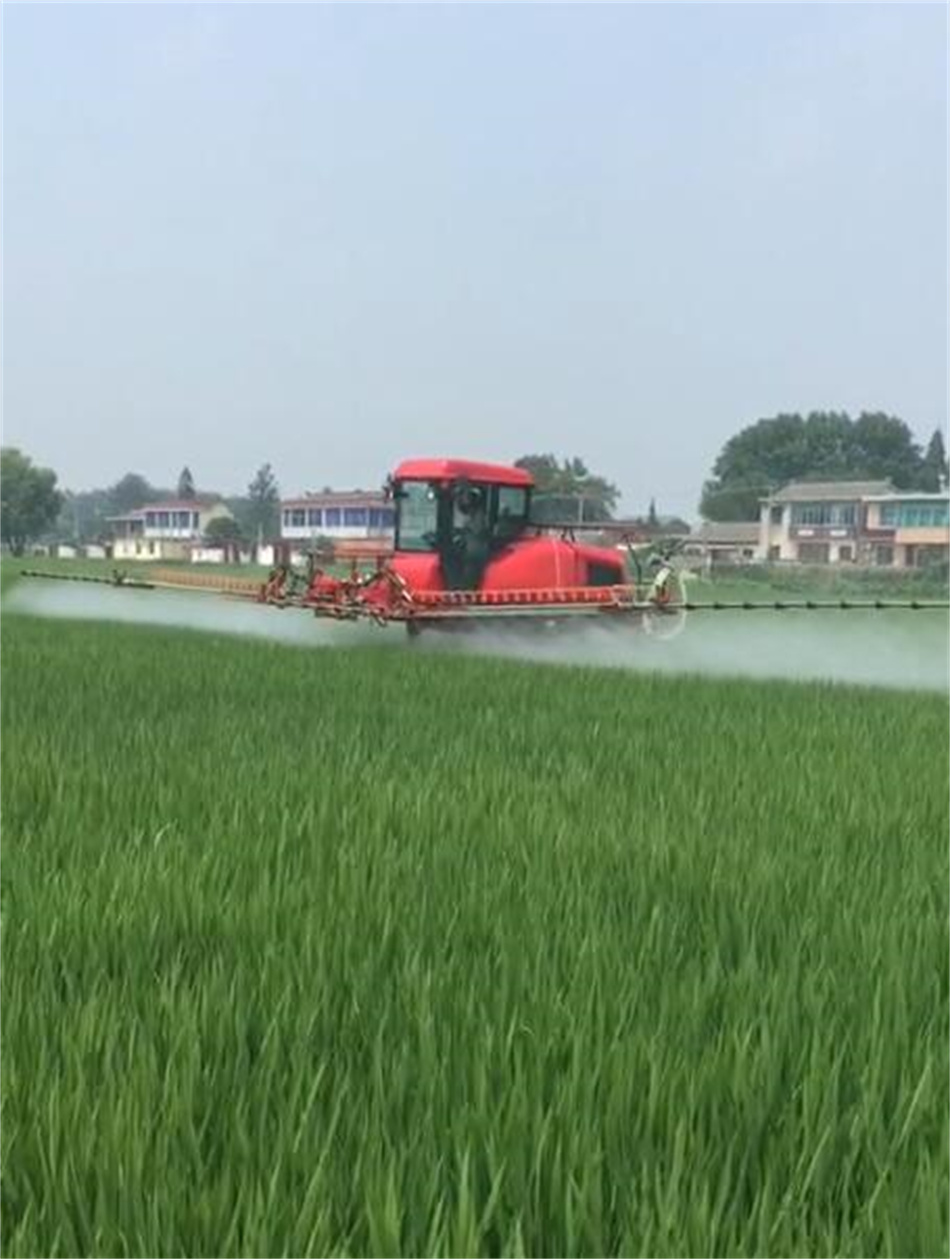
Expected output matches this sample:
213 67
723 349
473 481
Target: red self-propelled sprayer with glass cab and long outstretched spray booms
467 552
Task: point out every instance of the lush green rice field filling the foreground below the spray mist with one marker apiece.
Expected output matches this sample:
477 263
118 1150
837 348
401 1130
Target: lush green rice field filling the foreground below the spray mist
367 951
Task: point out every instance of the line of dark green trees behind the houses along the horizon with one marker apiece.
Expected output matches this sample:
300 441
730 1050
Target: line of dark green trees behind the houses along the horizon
761 459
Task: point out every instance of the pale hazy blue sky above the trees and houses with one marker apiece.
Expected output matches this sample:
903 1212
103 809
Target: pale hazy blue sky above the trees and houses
334 237
